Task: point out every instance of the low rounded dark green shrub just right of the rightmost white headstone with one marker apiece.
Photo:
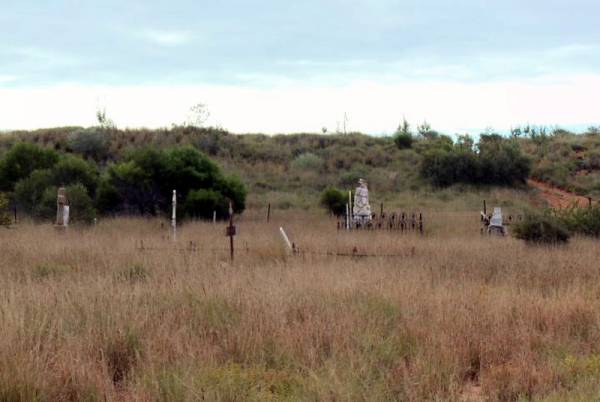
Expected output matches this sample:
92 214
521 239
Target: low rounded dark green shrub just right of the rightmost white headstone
540 228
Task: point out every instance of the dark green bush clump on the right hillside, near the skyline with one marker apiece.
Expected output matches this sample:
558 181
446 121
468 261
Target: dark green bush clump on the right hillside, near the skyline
493 160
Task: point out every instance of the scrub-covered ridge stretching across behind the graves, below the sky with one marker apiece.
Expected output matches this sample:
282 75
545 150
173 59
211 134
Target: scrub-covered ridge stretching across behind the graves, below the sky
292 170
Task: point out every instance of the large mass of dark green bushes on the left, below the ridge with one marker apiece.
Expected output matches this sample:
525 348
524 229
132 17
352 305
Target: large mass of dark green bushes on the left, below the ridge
140 182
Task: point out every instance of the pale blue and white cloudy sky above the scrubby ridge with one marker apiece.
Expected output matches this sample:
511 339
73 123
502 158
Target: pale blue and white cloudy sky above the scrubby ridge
281 66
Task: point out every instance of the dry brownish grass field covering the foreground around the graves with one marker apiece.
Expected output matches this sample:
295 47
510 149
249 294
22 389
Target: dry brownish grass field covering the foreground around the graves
453 316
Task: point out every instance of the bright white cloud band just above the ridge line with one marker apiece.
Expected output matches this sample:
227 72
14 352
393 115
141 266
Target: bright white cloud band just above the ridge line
371 106
